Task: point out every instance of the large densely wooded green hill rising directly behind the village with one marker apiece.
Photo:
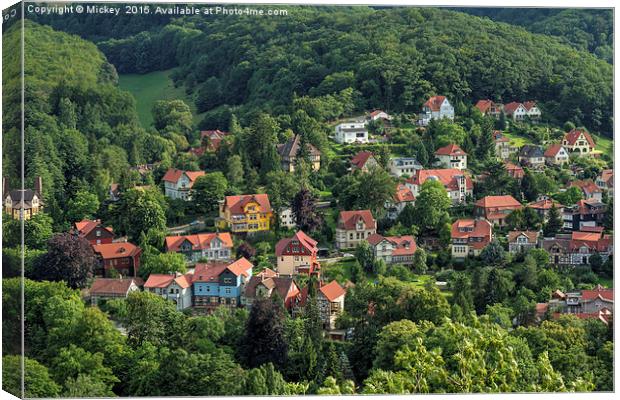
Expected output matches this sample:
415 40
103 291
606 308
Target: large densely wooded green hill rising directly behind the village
392 58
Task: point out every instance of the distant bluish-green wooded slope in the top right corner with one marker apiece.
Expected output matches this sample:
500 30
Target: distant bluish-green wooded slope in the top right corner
584 29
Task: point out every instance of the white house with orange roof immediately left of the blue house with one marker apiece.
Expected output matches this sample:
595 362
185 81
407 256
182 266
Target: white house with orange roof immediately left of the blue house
174 287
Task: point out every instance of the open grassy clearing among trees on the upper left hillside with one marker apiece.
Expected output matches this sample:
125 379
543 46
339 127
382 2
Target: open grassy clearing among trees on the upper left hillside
148 88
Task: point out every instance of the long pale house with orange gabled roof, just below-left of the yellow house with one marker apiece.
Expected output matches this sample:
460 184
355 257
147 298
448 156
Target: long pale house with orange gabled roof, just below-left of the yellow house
210 246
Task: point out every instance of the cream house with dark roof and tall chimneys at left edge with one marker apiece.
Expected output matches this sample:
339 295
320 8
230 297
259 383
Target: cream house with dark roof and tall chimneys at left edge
23 204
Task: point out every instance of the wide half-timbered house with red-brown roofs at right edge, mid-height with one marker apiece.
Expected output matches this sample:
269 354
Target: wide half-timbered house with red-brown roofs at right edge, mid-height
577 247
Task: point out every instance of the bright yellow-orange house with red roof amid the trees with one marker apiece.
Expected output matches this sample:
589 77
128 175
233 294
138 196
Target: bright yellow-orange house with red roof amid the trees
245 213
